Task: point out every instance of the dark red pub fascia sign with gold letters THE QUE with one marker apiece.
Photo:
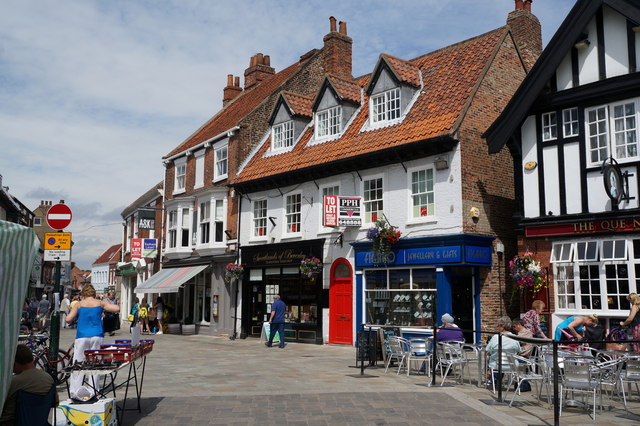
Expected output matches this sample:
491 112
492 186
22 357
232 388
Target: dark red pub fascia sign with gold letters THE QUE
581 228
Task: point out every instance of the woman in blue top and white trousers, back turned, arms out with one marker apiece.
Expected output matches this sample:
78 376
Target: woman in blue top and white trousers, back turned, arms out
89 334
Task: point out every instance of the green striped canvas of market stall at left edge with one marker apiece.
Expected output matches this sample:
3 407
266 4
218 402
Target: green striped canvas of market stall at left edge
18 250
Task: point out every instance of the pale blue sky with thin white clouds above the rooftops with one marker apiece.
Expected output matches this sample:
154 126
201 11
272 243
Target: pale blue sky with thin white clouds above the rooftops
94 92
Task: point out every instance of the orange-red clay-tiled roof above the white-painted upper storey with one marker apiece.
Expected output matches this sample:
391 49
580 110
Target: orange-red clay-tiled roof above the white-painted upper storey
449 75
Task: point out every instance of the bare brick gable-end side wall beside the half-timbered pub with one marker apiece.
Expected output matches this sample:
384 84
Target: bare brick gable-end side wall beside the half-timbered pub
487 180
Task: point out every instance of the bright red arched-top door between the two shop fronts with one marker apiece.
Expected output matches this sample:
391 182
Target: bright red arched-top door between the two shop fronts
341 303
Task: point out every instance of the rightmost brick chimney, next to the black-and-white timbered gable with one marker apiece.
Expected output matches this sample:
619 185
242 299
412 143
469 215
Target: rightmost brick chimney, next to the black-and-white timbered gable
526 31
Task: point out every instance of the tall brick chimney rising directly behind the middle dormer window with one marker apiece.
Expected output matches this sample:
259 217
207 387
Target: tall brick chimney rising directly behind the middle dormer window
337 50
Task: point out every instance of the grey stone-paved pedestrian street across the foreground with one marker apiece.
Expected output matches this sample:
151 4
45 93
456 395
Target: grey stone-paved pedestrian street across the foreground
203 379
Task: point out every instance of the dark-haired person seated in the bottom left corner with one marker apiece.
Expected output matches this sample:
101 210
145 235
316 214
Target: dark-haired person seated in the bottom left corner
27 378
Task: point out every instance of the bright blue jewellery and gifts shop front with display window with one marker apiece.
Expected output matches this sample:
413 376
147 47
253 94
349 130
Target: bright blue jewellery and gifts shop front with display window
402 288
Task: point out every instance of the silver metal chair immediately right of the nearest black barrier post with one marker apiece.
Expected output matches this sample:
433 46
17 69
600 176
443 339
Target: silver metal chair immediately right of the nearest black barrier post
580 377
